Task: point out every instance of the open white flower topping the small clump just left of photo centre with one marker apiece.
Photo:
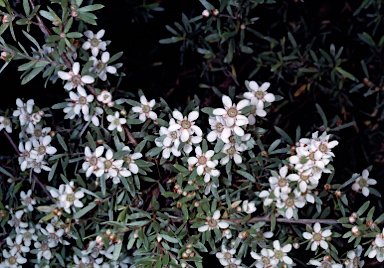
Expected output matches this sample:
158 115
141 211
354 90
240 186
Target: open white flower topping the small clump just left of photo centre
185 125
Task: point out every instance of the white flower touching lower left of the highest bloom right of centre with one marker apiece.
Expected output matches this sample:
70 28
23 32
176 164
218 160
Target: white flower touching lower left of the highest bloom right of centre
232 114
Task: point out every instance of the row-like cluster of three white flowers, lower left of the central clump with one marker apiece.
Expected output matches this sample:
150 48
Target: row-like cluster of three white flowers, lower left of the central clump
112 168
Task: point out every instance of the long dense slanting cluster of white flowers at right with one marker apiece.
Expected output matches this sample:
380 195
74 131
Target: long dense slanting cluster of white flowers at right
295 190
